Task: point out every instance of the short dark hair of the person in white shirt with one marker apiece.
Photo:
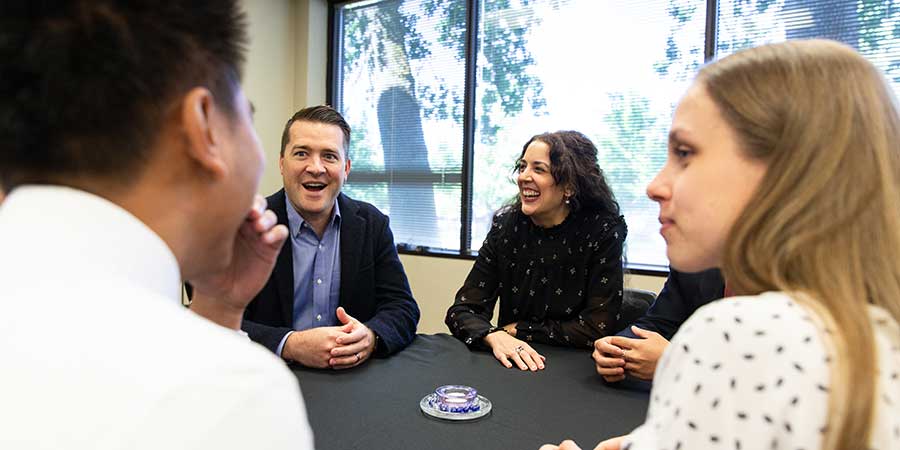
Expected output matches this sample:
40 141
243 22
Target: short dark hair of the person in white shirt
85 84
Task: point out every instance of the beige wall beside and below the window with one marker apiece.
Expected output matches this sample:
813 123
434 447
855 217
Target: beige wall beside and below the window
285 72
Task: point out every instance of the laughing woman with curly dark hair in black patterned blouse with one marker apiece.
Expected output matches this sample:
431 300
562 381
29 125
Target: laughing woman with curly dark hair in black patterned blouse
553 257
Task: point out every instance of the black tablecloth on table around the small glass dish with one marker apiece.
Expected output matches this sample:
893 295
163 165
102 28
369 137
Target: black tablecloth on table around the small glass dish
376 406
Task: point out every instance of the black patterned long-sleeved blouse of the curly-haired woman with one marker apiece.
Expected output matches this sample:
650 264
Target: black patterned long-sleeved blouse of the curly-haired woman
563 285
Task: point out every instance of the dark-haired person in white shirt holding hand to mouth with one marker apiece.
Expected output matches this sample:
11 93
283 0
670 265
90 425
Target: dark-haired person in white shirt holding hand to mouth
128 146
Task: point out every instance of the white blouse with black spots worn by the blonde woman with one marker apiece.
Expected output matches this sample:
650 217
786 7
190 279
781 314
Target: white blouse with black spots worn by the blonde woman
751 373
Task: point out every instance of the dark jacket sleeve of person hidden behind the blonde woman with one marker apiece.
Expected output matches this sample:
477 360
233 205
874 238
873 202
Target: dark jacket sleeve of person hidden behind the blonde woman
682 294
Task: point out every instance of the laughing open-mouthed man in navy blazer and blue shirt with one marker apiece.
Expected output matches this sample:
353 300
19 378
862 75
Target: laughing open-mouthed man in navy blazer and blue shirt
338 294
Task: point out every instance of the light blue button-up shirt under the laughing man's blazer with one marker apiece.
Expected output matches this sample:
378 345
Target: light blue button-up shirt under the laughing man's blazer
317 271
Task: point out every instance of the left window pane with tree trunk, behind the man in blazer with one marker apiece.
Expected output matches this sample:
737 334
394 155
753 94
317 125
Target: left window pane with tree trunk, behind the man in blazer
400 81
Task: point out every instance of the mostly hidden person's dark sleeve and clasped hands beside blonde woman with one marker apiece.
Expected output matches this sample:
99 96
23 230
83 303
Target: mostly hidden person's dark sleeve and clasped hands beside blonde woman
635 350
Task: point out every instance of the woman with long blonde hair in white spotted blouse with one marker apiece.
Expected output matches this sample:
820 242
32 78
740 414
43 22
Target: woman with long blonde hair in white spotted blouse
783 170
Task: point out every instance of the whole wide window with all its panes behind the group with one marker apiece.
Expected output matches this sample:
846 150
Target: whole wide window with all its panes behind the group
443 94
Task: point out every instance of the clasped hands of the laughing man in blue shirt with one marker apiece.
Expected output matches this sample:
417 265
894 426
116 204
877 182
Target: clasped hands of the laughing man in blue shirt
338 347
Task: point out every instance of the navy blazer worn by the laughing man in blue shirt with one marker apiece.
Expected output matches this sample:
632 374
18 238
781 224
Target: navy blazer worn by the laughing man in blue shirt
374 288
